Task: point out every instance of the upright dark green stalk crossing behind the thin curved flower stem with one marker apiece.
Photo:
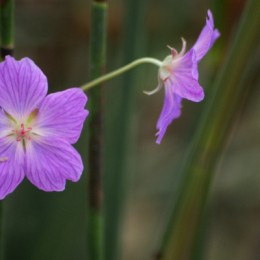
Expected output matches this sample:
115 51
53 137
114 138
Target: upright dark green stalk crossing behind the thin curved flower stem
97 67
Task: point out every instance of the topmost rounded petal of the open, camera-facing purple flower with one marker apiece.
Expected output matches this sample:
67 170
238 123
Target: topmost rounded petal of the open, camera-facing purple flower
22 86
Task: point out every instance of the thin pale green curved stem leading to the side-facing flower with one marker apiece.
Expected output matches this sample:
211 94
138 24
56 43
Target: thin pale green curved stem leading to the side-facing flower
119 71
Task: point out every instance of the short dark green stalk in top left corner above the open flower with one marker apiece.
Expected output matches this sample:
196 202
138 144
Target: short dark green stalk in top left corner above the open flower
7 27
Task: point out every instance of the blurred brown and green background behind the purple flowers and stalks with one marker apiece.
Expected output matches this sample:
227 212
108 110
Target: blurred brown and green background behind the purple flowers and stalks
55 34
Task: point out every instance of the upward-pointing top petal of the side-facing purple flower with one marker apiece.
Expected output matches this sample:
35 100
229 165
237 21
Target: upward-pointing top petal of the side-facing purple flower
206 38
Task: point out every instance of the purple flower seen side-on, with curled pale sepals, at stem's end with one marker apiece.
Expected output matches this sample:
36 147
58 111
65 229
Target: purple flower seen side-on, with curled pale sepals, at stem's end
179 75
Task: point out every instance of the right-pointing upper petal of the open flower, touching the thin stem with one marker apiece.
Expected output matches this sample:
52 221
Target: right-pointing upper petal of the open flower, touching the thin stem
62 114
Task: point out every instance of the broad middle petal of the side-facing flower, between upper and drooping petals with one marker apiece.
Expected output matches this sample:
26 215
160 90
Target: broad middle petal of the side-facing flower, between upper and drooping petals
184 78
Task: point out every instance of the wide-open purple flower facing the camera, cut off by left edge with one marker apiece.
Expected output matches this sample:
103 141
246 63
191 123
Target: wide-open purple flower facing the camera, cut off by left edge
36 131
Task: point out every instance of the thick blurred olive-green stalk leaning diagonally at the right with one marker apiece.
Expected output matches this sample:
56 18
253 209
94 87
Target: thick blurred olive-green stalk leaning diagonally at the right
219 114
